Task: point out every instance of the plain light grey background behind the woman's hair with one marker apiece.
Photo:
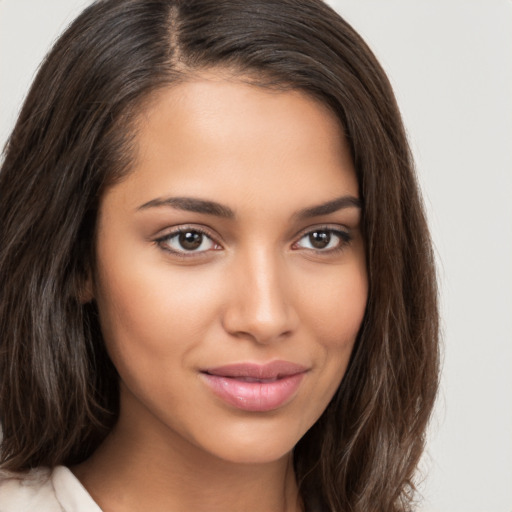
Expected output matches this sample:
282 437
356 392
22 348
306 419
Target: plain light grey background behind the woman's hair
450 62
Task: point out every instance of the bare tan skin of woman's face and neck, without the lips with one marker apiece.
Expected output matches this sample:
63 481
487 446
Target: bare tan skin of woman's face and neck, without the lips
256 291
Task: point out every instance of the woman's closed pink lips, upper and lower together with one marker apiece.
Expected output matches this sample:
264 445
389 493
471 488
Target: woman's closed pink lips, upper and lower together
254 387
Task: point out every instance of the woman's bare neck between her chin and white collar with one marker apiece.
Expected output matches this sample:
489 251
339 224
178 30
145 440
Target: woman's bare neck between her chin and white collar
132 472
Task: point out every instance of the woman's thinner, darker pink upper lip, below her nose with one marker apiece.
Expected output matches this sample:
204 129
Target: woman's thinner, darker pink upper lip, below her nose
271 370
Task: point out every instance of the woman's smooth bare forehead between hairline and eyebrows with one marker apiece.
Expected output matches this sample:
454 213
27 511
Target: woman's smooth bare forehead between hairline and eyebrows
231 141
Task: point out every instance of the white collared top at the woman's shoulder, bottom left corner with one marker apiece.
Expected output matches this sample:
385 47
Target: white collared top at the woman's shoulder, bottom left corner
44 490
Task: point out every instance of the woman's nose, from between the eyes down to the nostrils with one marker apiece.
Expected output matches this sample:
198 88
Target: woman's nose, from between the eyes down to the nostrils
259 306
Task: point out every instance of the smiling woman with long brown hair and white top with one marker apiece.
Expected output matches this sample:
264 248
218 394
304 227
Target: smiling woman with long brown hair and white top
217 285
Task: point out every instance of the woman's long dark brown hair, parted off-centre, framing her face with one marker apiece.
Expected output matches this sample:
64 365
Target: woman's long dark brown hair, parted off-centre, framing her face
74 137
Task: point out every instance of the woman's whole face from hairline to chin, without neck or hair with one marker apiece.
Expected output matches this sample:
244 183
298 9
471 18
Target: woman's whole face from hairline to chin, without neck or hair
231 280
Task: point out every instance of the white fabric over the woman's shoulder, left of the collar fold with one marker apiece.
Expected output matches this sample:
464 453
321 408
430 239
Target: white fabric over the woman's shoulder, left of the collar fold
27 492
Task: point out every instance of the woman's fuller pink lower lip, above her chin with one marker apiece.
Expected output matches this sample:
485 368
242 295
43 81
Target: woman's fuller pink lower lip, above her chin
254 396
